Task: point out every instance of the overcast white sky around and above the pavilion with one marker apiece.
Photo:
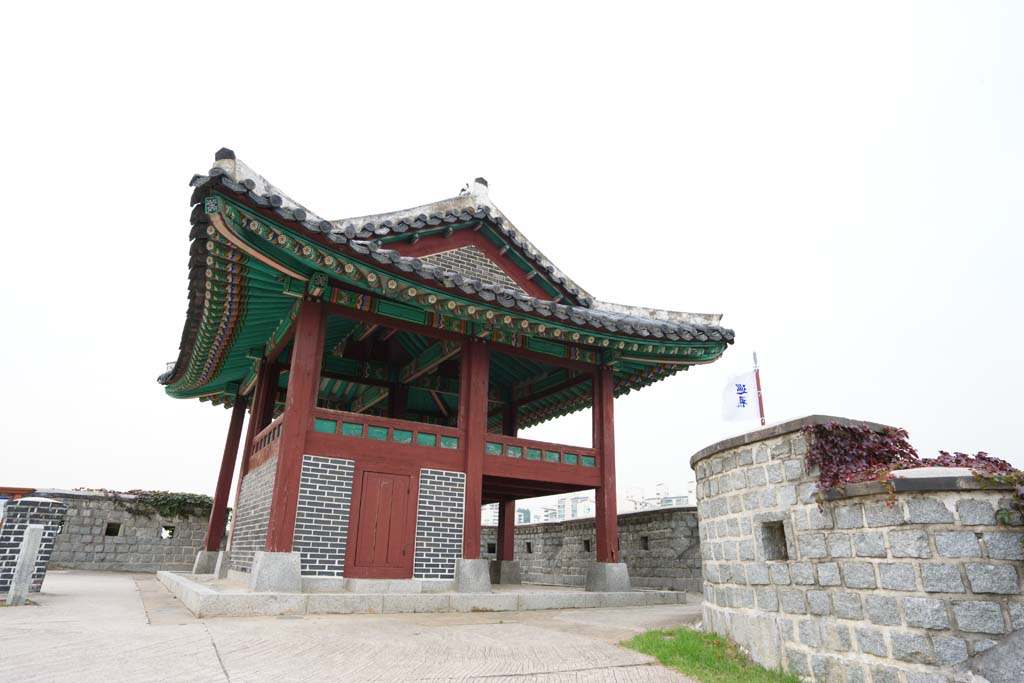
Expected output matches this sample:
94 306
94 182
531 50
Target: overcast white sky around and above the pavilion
842 181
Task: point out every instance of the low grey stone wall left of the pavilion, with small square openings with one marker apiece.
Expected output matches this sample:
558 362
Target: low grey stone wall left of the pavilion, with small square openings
87 543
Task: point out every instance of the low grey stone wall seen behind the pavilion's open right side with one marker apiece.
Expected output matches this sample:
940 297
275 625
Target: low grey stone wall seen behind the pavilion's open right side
660 547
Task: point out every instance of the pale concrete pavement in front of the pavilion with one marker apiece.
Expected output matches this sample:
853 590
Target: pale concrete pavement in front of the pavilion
122 628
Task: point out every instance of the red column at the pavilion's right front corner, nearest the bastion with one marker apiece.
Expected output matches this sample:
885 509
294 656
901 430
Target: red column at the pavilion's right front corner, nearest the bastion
605 443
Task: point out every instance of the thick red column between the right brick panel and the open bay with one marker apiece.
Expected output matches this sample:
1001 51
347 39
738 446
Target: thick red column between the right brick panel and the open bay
474 419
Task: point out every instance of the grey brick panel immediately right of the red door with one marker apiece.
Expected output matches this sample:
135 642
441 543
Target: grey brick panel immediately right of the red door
439 524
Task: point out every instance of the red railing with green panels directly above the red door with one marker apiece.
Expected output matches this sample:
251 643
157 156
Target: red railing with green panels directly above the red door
355 425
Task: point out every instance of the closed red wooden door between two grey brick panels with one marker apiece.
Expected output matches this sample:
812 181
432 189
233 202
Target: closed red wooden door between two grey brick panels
383 546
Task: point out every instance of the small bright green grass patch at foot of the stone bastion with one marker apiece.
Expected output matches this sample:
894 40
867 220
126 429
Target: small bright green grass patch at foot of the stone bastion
705 657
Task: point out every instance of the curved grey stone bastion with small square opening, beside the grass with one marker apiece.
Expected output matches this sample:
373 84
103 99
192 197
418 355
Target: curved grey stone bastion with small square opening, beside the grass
857 590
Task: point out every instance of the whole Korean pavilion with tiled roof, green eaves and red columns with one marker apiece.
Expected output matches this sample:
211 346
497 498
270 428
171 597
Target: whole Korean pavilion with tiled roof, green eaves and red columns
388 364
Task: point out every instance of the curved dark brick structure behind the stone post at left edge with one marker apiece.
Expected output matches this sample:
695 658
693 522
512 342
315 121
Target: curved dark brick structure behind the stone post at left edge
17 518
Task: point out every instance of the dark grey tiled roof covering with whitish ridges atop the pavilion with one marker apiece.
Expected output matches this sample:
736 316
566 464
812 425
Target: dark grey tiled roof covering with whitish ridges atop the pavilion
359 236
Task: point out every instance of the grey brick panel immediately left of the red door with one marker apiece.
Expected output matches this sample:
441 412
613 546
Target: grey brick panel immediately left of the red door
322 518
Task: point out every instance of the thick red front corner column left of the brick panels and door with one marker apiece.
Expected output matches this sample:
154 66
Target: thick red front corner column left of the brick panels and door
304 381
